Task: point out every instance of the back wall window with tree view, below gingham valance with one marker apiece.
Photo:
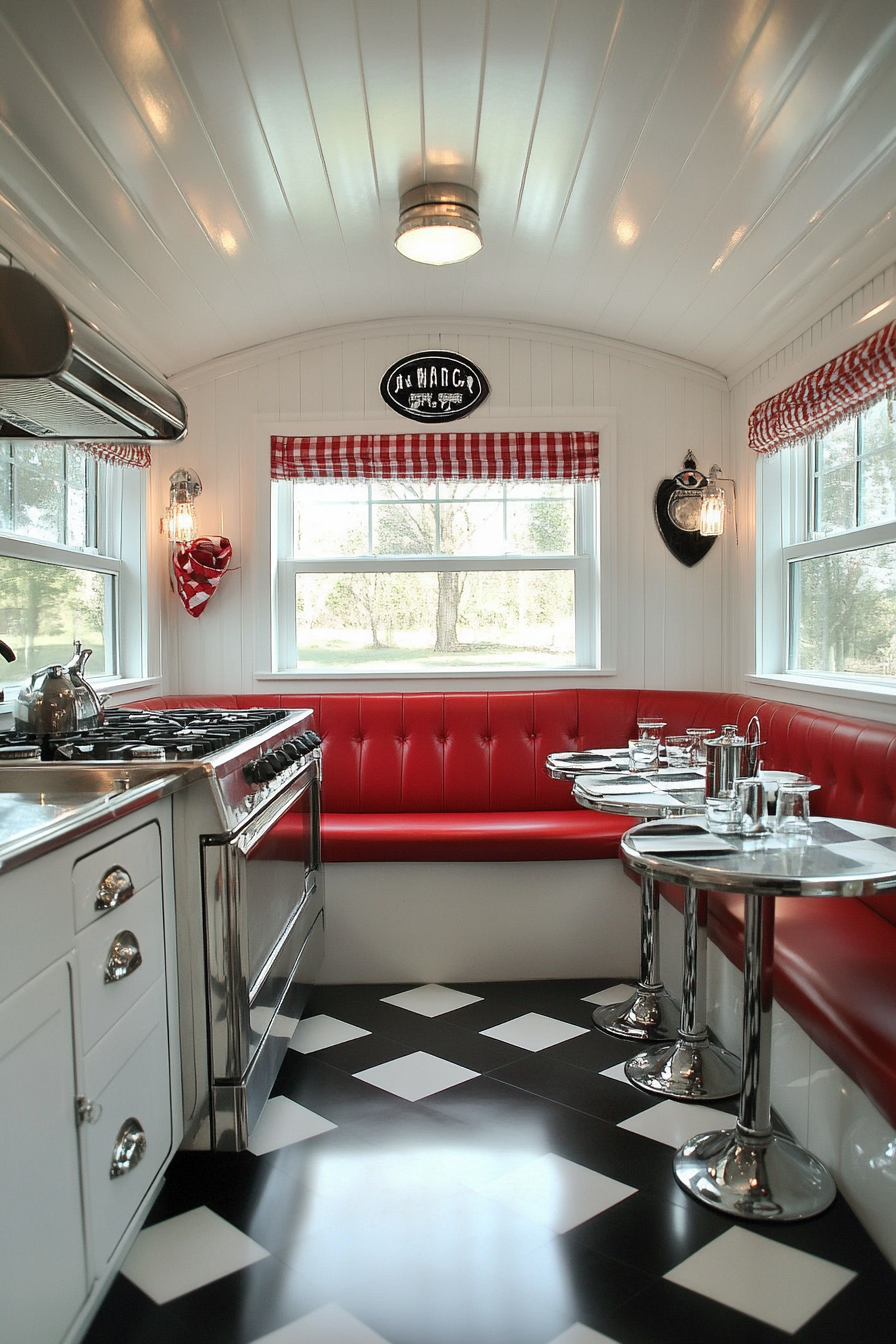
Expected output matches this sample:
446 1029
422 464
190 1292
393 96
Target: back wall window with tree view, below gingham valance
451 575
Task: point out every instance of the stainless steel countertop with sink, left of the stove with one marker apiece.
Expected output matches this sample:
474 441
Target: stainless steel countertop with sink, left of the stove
46 806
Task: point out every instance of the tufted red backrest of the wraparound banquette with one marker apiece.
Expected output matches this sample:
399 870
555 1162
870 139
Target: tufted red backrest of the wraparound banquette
484 752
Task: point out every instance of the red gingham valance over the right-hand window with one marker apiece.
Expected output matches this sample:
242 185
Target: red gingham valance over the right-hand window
835 393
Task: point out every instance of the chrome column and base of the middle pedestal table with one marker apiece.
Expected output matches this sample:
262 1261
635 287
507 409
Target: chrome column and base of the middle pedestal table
692 1068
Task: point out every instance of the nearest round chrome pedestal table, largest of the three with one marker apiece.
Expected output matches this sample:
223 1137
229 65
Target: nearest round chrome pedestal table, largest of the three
750 1171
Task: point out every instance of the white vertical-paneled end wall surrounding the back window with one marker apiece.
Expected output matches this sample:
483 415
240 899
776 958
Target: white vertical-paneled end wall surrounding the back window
659 408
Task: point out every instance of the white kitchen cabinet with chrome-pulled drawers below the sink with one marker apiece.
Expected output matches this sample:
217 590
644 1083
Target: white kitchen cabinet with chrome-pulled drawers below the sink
91 1109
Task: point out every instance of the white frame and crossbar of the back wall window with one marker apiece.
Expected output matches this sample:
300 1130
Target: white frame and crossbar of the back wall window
582 564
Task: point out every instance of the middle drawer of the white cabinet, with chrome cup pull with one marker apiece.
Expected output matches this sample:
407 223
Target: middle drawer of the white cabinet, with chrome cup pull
130 937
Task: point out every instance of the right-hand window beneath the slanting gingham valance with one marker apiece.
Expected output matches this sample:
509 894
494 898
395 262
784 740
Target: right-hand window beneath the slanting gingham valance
840 549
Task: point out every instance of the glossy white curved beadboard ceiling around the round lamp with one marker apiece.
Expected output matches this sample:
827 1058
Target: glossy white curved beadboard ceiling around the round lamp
697 177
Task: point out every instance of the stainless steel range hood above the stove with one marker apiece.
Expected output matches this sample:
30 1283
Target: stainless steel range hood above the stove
62 380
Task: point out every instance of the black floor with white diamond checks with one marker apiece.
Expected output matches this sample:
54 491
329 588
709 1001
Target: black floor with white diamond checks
468 1166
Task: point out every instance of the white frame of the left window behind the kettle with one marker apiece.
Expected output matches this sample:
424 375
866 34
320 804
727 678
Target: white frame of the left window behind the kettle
120 552
